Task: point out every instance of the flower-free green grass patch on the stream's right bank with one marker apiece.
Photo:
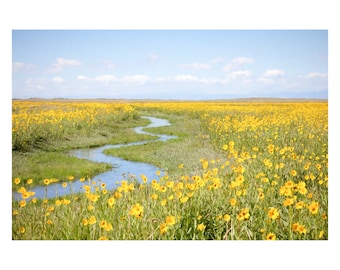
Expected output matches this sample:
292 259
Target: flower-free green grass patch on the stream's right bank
187 149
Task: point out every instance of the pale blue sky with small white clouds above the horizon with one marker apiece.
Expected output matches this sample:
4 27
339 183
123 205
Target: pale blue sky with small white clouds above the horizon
169 64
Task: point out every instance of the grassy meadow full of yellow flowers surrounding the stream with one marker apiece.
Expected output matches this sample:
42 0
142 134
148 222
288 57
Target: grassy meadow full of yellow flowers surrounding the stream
239 170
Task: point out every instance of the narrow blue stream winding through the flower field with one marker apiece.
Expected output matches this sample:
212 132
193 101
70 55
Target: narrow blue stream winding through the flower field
121 170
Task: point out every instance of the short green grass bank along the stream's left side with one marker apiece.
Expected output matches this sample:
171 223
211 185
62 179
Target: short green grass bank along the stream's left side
50 160
